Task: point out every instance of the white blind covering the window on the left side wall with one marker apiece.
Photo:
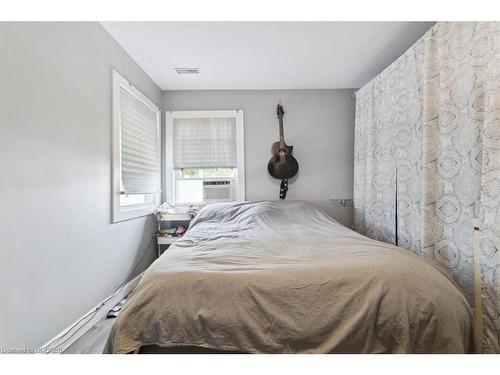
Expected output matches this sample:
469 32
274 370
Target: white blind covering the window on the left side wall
140 146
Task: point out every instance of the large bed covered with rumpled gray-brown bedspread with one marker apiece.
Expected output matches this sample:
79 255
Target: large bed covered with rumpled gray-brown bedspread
285 277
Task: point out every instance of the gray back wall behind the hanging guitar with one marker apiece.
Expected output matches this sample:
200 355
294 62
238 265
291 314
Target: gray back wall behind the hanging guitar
318 123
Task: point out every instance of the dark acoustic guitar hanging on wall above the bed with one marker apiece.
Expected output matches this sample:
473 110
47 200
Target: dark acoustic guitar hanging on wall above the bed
282 164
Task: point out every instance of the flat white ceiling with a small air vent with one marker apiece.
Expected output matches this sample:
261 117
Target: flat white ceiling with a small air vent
265 55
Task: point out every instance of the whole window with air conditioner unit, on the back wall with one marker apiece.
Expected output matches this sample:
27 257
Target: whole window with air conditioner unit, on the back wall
205 156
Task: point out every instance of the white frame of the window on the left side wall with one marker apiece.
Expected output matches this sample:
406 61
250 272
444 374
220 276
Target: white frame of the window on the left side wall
119 212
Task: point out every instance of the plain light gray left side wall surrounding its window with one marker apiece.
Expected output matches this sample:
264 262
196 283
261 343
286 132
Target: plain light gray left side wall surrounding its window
59 253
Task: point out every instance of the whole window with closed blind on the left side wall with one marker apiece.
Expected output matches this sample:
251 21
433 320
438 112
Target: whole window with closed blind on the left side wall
136 152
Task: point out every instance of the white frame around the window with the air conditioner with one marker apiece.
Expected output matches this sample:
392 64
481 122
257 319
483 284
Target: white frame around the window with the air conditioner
169 149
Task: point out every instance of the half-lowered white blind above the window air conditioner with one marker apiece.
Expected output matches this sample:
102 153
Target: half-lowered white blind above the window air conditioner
204 142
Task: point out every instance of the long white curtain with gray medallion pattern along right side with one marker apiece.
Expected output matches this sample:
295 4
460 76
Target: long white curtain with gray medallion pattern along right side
427 157
